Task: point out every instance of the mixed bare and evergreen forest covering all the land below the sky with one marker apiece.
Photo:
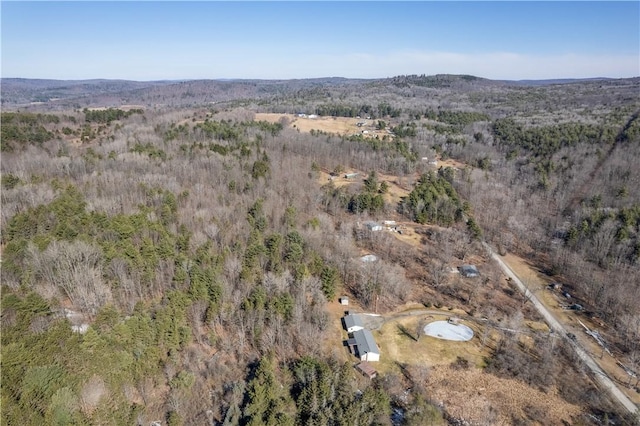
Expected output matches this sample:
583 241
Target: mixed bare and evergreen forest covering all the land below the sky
179 260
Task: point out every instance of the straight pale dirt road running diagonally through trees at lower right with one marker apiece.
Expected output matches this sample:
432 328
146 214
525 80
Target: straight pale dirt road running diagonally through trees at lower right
557 327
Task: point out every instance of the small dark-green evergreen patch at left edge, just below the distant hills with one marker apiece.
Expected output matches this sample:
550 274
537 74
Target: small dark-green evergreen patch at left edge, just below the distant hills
21 128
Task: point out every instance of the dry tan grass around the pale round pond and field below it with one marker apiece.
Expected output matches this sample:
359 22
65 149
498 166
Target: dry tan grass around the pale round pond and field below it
468 393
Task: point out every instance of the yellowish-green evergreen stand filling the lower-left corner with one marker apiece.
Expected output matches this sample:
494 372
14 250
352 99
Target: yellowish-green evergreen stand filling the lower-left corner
52 375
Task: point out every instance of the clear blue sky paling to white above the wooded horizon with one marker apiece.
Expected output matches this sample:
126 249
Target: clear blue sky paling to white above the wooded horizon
272 40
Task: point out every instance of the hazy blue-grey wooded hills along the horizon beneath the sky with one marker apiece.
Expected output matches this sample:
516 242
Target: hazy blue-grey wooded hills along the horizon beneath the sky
65 94
